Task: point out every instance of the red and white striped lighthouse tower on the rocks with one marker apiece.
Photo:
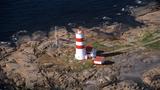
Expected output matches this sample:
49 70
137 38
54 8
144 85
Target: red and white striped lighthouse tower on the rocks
80 47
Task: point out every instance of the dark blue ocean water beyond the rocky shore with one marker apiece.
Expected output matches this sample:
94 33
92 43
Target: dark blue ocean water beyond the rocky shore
32 15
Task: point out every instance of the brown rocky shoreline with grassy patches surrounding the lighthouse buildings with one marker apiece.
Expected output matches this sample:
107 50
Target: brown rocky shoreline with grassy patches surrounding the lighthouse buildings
37 63
